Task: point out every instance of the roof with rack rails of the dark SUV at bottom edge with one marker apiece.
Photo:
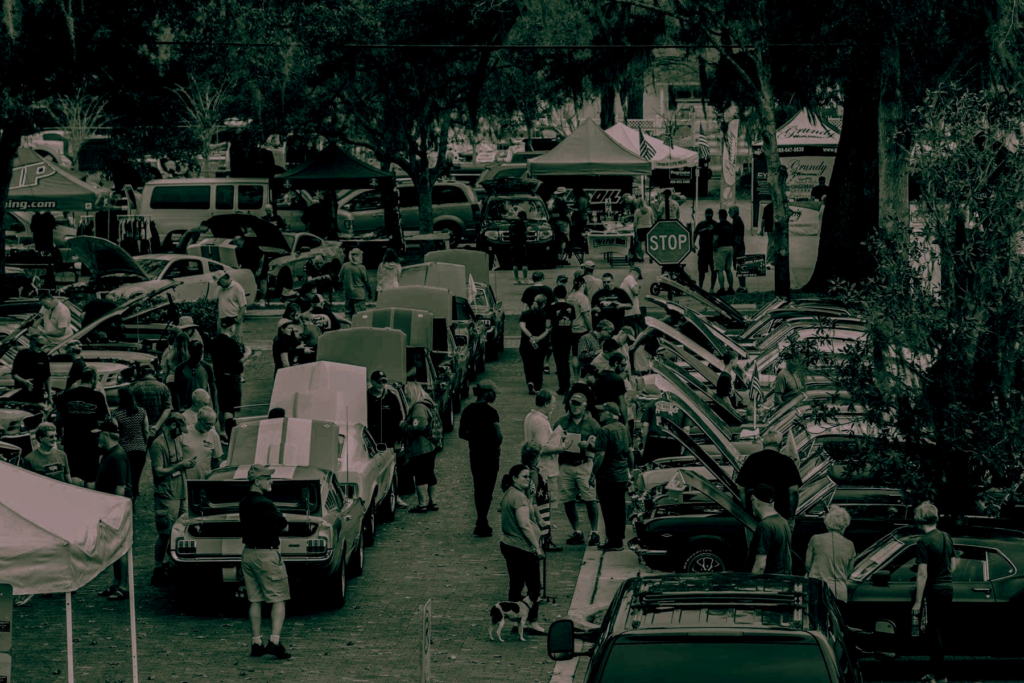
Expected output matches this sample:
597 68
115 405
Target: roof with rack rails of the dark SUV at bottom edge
726 601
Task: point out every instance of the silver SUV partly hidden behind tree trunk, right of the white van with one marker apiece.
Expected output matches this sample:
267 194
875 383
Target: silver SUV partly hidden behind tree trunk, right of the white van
456 209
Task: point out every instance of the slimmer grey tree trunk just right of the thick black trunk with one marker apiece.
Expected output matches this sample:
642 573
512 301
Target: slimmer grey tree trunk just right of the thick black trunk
894 176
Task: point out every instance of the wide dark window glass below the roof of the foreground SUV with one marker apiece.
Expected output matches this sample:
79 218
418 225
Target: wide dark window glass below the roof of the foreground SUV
734 660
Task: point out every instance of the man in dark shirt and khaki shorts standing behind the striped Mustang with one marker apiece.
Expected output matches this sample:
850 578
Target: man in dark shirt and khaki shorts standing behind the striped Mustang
263 567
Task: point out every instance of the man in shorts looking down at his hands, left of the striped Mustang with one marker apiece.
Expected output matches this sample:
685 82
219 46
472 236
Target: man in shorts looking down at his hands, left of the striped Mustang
169 465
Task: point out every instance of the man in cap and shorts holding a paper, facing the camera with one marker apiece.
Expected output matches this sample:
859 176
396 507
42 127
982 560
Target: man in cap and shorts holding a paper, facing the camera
576 467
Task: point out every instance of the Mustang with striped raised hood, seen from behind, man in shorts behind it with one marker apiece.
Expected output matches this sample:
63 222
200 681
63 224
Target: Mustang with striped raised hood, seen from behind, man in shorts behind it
323 544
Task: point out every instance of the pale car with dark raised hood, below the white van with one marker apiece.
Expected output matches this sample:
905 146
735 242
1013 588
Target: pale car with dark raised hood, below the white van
115 273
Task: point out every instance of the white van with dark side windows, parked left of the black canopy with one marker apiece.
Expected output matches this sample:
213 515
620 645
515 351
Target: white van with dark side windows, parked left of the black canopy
181 204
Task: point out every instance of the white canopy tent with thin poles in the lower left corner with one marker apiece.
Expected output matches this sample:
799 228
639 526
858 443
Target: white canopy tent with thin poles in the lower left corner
56 538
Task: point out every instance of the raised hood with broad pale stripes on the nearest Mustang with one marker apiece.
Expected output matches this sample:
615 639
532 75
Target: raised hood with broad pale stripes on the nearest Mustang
286 443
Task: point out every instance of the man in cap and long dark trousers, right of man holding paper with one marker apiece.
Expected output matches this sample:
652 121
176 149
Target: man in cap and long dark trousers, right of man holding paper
613 462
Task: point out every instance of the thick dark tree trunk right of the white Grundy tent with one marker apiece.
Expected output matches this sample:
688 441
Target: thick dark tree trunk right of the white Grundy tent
854 194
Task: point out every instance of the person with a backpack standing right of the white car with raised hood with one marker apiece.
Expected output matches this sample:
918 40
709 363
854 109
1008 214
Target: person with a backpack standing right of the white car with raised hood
424 438
